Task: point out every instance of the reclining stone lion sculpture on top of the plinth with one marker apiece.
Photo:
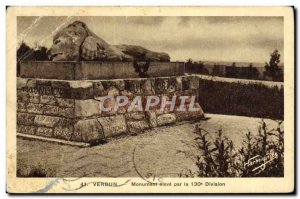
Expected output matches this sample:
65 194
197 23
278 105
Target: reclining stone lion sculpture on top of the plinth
76 42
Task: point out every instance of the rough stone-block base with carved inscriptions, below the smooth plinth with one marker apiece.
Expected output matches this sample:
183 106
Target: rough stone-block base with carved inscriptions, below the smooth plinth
69 109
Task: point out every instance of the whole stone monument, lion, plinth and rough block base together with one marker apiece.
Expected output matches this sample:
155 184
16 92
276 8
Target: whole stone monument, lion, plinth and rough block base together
59 100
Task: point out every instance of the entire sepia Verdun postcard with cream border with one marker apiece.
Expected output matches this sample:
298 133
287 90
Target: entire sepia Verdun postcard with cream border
196 97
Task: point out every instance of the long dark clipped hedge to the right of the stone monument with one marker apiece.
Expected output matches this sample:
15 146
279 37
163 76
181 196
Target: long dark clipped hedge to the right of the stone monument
254 100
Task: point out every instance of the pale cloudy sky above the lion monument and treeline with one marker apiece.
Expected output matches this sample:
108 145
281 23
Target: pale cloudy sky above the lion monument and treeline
236 39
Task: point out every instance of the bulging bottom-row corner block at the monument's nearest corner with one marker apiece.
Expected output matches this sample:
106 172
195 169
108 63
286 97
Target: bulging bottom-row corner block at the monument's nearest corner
87 131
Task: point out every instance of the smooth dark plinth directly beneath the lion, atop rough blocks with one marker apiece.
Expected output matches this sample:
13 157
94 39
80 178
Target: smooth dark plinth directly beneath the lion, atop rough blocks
95 70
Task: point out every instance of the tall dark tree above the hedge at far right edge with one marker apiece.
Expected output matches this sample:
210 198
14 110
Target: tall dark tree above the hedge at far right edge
272 69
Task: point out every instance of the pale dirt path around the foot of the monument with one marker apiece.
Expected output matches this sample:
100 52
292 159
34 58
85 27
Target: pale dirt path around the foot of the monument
164 152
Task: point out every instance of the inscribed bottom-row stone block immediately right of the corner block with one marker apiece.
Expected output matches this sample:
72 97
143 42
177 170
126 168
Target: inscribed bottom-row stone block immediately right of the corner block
113 126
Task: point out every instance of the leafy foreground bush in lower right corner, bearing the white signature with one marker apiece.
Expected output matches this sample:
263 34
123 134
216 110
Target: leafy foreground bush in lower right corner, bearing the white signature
220 158
